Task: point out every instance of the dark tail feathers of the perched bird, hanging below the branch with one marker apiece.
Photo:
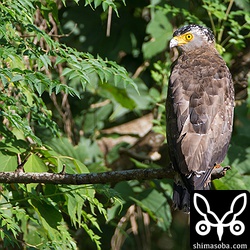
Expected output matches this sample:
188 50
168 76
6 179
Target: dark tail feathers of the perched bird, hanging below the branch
184 185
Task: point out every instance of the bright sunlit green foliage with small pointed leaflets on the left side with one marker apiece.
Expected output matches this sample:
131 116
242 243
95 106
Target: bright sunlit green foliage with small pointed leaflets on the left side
31 61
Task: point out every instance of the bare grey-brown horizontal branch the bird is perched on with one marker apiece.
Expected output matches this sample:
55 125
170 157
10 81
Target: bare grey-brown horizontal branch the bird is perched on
96 178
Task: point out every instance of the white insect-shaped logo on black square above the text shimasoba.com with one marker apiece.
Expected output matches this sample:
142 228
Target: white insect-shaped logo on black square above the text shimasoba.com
203 227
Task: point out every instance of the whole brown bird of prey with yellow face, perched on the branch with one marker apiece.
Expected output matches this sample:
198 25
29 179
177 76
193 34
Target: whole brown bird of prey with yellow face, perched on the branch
199 111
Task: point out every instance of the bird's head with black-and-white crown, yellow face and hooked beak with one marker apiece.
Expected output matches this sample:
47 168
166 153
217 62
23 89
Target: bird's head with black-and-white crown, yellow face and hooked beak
191 37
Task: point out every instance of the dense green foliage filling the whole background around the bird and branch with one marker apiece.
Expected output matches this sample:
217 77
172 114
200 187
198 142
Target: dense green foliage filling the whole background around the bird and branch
63 82
